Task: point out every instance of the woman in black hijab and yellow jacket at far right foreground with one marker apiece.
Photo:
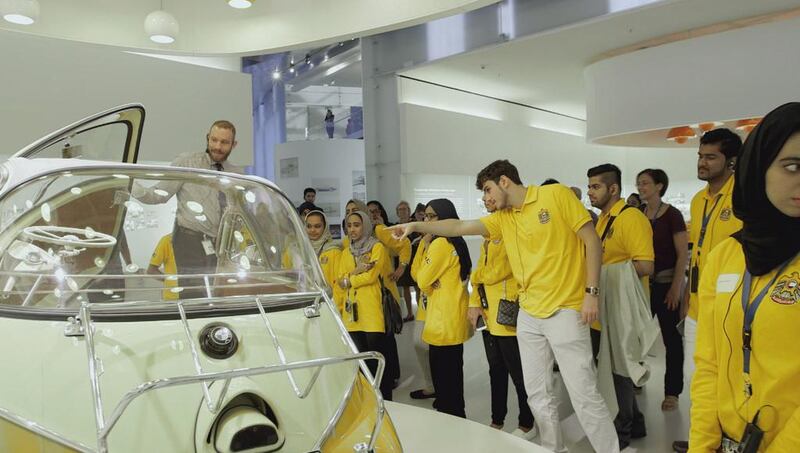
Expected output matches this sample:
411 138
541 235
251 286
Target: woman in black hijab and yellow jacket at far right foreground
748 337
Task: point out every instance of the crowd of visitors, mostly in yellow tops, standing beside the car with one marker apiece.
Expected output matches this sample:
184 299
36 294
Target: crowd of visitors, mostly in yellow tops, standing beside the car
557 288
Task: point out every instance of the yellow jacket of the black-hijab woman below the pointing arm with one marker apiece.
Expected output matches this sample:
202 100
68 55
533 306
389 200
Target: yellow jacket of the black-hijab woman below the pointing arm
446 318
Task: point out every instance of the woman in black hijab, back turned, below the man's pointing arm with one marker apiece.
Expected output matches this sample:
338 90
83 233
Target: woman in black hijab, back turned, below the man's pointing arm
442 278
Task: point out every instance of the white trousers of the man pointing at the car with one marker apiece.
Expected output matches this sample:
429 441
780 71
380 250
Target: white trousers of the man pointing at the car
564 337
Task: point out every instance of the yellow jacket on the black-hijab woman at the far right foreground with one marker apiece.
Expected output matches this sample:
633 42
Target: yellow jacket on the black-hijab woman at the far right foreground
719 404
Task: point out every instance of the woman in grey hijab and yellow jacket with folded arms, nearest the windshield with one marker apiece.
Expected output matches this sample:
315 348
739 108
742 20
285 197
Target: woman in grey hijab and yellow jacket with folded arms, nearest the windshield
358 275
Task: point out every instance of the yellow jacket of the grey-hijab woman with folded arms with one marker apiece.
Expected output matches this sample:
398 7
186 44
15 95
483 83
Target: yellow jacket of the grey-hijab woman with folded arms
365 290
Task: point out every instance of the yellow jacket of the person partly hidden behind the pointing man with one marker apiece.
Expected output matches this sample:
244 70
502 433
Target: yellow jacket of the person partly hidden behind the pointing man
494 272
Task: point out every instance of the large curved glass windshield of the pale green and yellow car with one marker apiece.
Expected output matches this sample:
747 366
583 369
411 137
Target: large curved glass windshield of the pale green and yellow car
112 235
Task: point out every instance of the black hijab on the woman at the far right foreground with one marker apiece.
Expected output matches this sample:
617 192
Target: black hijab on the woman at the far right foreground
768 237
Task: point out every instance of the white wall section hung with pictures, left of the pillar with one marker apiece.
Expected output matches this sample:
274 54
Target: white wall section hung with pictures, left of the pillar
321 164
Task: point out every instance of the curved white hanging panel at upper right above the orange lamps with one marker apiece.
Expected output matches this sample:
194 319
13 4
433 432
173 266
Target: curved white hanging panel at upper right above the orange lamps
742 73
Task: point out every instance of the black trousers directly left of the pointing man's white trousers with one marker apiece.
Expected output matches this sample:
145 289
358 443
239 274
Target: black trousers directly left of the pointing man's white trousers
502 353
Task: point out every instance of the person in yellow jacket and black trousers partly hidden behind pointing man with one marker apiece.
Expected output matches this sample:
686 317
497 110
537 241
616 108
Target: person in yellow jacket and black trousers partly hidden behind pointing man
492 281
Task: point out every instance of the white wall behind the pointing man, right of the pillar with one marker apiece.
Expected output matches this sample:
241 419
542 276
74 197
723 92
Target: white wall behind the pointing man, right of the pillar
444 150
